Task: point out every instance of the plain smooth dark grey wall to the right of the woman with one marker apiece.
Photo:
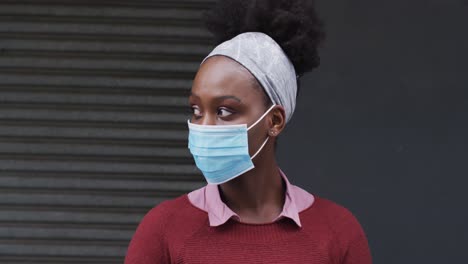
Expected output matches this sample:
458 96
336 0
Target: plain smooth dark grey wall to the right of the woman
381 127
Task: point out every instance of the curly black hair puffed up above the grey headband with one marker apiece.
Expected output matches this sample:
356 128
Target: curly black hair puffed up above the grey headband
293 24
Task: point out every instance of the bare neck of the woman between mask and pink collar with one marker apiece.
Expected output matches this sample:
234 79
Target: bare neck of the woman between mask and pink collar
258 195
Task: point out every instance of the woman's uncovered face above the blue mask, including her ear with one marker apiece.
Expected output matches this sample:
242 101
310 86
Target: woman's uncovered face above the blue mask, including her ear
225 93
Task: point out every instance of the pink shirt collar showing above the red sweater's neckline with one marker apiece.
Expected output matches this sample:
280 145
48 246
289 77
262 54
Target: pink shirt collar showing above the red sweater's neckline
209 200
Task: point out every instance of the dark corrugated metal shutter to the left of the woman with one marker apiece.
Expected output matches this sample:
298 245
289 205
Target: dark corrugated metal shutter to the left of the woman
92 122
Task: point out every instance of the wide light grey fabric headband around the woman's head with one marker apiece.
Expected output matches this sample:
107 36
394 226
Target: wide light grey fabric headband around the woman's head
265 59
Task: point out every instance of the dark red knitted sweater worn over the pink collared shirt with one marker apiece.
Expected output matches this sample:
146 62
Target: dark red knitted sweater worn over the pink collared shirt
177 232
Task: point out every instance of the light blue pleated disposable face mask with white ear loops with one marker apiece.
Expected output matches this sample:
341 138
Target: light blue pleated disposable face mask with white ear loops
222 152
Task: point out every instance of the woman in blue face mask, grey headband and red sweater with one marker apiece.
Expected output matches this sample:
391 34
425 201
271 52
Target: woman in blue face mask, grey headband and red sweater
242 97
